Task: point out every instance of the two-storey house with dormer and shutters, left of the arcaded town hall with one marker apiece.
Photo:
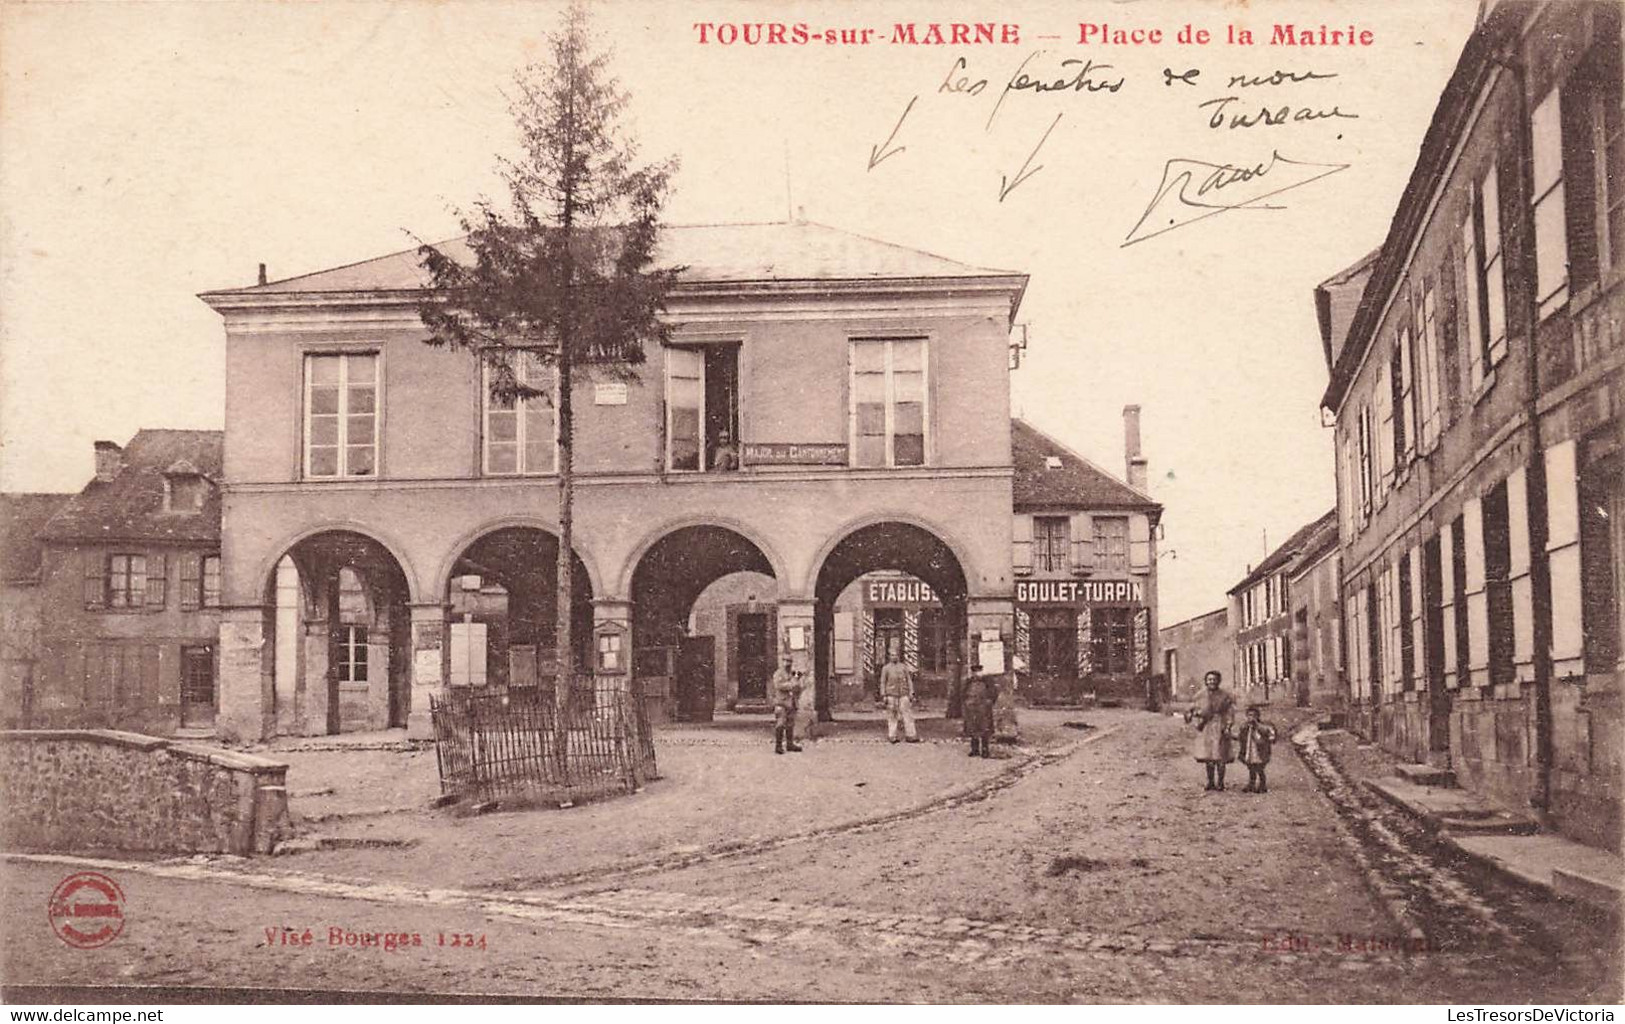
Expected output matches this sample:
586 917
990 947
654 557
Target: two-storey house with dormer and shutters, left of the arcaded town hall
129 592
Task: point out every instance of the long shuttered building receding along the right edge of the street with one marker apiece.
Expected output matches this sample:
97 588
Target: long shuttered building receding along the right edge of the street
1478 389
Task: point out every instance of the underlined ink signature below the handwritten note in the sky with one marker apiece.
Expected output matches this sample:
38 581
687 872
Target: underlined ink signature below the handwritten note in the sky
1194 191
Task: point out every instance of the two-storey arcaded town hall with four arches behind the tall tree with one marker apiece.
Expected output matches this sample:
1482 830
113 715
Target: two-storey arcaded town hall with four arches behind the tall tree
828 407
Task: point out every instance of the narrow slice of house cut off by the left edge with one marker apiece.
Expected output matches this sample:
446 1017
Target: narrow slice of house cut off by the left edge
22 519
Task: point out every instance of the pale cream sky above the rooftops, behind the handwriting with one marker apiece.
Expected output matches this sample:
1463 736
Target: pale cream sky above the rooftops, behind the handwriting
154 152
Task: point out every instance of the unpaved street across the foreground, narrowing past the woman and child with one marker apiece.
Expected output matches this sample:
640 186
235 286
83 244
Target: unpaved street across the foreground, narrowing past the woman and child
1099 872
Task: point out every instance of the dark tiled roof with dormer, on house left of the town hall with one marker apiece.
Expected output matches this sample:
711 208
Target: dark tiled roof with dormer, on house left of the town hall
131 506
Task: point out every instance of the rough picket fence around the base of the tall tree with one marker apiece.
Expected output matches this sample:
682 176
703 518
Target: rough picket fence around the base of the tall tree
509 740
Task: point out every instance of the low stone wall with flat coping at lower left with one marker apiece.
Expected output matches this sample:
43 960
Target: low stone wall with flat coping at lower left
80 791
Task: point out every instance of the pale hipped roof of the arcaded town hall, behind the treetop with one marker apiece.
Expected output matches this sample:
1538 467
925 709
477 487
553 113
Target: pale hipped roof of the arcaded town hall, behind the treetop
709 253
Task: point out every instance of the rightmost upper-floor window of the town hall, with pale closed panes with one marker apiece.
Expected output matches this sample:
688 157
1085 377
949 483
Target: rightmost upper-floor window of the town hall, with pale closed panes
890 410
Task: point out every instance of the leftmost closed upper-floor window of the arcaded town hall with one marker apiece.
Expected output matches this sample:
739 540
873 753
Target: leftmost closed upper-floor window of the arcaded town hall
342 415
